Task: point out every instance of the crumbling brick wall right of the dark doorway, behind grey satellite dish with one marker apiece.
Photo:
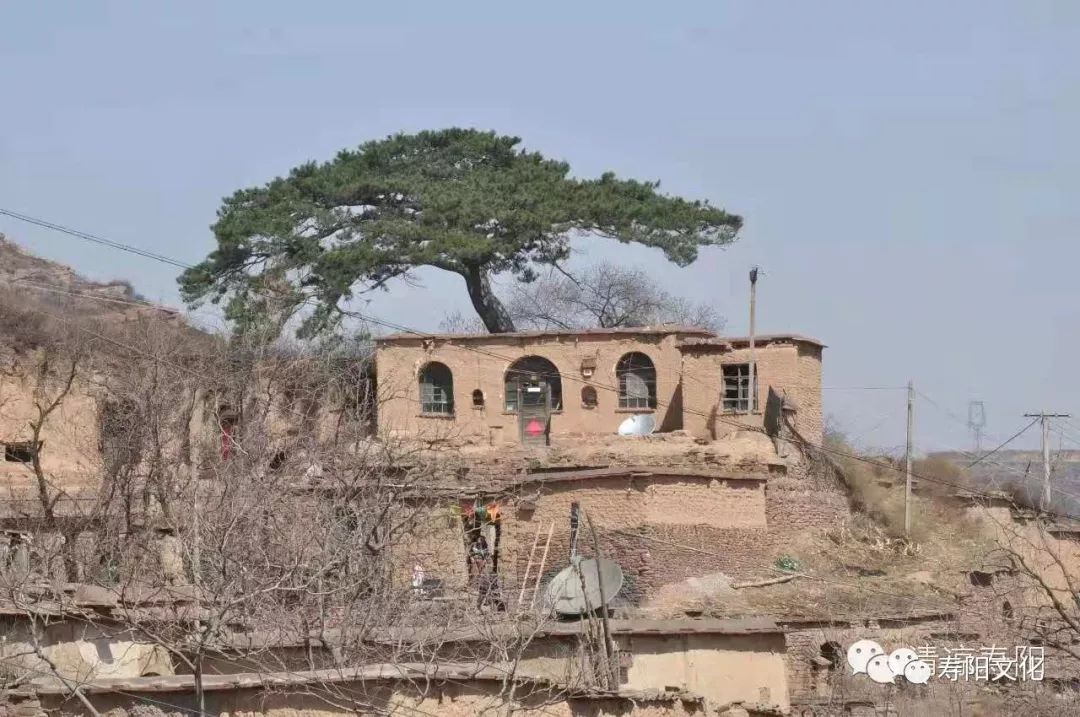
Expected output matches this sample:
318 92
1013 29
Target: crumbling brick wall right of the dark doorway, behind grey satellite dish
660 529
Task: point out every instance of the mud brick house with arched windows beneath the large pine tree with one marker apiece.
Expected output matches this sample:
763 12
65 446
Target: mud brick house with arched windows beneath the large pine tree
539 387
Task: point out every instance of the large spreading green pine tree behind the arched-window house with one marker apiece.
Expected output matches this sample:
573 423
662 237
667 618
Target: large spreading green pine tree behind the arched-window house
465 201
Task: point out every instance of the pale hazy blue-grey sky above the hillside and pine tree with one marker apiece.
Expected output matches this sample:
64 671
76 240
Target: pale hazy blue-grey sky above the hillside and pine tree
909 173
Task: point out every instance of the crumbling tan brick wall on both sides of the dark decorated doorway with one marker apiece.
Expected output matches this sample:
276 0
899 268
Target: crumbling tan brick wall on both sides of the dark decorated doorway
661 529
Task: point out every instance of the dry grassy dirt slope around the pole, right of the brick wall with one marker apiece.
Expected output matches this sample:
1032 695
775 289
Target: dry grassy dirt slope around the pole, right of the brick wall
868 566
